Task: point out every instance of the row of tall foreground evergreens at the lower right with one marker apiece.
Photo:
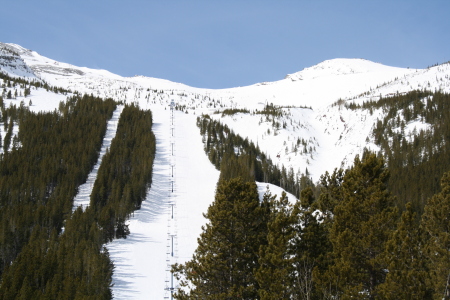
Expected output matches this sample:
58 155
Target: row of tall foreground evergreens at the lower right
350 242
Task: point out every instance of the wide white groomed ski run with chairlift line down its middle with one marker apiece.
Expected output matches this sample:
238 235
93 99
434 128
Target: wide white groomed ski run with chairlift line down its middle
140 260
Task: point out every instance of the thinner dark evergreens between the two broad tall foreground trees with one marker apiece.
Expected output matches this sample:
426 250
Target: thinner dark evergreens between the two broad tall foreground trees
297 248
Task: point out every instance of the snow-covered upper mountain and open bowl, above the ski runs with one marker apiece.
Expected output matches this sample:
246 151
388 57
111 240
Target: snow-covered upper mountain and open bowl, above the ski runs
333 133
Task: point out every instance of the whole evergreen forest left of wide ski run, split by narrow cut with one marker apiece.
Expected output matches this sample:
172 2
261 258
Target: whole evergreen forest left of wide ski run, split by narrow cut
46 250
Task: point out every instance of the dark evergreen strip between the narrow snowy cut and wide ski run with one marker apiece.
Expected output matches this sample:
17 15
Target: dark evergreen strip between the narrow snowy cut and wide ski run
125 174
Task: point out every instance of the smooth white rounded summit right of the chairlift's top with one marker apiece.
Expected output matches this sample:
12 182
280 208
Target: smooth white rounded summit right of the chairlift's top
319 85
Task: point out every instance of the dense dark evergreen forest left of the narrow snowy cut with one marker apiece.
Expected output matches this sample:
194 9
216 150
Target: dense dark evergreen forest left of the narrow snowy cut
52 155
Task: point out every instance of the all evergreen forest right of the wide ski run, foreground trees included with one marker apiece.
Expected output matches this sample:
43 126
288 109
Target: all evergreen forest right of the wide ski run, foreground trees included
374 231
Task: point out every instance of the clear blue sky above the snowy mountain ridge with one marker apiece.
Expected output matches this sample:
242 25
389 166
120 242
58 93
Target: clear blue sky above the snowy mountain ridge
222 44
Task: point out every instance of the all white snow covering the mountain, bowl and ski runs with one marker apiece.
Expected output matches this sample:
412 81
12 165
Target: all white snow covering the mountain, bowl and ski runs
334 133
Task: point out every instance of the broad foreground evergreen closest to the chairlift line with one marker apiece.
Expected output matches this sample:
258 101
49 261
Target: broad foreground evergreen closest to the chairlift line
226 258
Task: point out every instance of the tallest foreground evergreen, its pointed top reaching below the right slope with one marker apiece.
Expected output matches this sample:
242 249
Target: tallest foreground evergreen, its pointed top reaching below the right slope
362 224
